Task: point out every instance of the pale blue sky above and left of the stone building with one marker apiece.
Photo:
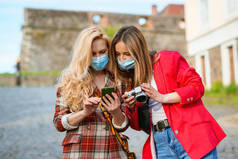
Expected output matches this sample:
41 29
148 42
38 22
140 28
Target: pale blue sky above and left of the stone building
12 19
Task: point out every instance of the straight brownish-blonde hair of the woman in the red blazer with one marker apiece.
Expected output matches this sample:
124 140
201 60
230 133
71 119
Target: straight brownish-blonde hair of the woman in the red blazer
136 44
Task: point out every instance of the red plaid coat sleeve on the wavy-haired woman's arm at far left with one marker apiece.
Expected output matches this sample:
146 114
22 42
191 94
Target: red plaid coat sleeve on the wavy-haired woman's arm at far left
60 110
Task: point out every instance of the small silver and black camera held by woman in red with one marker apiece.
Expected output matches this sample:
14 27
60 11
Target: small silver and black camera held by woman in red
138 93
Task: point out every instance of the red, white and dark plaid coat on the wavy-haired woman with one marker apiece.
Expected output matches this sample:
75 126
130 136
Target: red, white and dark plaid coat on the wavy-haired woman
93 138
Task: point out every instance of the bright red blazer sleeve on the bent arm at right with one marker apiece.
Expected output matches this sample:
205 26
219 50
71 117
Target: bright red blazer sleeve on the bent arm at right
190 86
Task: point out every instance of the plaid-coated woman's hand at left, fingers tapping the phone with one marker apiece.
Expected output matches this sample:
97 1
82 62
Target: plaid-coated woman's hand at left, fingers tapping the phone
91 105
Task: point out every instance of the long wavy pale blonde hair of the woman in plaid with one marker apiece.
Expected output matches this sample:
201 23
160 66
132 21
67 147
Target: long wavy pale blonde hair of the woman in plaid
75 82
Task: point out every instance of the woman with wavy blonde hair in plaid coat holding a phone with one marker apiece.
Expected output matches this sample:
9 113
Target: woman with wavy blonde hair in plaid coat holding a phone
88 134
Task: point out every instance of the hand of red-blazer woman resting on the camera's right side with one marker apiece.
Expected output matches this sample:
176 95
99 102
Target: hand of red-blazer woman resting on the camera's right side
152 93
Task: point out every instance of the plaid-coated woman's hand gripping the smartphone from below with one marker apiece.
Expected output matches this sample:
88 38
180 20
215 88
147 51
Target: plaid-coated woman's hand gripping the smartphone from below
112 104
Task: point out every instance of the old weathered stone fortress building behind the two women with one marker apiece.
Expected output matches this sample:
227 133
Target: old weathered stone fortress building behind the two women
48 36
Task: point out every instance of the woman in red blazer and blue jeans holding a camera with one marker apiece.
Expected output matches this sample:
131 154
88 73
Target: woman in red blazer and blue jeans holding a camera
179 124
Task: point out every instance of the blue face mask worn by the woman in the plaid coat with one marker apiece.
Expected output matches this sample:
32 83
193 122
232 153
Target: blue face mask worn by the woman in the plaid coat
99 63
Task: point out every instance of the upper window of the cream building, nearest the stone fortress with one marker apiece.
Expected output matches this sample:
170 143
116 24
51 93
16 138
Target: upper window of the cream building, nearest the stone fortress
204 14
